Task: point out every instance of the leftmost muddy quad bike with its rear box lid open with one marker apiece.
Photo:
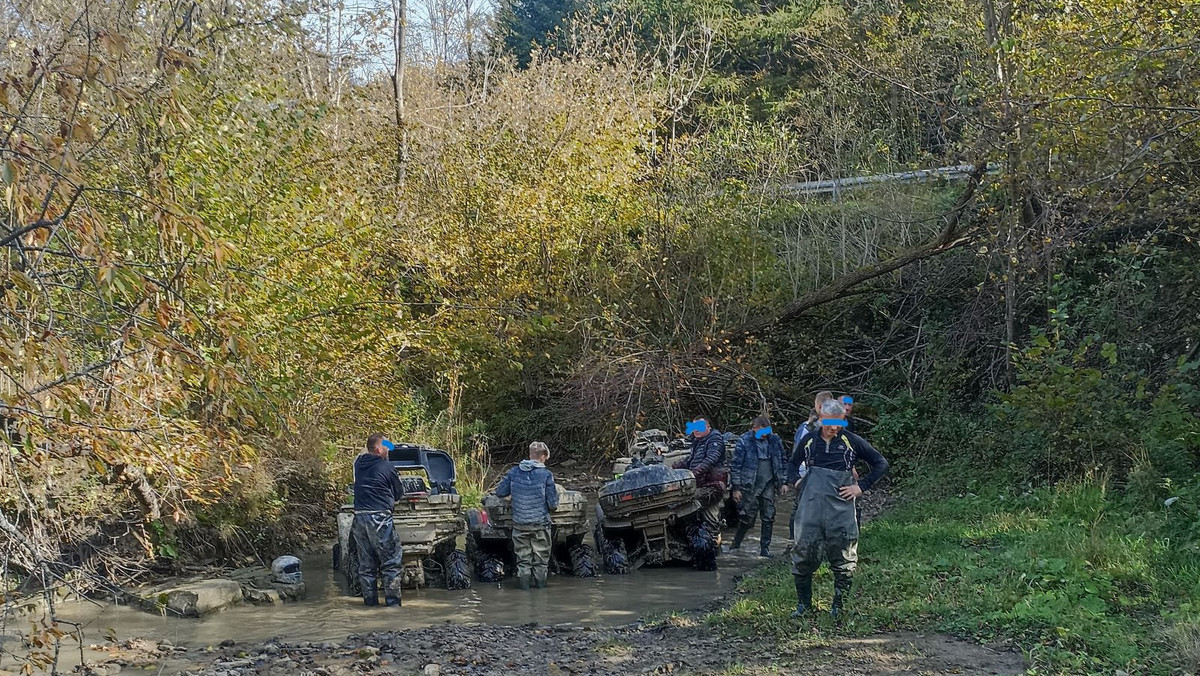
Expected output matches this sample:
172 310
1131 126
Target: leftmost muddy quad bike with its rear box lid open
429 521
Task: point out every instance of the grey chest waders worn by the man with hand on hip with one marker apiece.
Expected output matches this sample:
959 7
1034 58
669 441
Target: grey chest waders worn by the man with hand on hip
826 530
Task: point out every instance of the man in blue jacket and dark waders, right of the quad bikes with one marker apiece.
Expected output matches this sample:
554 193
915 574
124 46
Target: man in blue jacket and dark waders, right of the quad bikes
758 471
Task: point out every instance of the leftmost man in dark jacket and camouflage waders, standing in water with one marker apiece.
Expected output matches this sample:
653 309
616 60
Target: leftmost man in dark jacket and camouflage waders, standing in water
376 489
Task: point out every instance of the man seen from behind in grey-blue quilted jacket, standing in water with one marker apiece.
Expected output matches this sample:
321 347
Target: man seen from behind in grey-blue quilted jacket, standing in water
535 495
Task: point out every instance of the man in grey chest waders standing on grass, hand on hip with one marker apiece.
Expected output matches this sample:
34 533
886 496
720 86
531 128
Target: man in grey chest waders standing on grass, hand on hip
826 521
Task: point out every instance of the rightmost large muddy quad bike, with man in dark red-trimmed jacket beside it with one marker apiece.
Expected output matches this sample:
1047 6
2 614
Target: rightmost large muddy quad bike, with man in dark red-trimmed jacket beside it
652 515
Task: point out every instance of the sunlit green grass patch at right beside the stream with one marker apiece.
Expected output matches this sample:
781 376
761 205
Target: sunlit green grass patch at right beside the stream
1082 579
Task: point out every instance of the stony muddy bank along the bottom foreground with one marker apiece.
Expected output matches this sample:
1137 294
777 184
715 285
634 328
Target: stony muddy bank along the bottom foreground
682 645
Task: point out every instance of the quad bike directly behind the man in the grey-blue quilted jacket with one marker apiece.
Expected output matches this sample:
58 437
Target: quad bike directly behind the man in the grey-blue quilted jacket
490 539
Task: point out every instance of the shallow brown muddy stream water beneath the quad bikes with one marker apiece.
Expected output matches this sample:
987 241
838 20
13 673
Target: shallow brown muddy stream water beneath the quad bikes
327 615
